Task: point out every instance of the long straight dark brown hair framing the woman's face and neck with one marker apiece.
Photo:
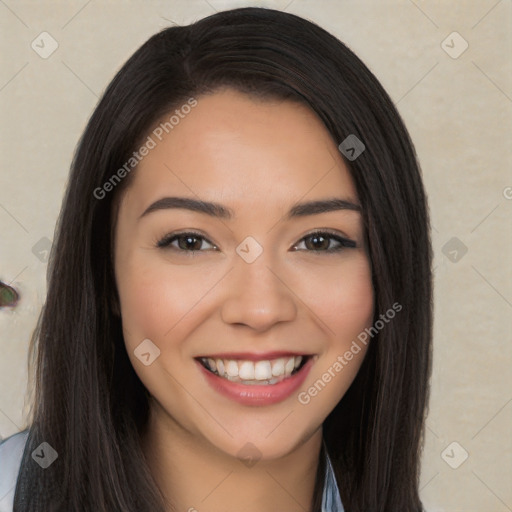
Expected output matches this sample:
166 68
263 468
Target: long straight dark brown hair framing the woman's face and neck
90 405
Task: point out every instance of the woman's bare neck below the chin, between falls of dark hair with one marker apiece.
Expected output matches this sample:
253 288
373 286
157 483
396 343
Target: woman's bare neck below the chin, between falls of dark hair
195 476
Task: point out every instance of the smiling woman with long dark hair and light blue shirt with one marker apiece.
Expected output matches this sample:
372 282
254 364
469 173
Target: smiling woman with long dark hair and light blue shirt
239 294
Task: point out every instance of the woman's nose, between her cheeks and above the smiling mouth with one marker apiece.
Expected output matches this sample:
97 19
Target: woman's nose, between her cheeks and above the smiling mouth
257 296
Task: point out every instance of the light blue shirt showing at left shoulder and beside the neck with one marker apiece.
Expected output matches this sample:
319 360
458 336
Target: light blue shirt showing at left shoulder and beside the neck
11 453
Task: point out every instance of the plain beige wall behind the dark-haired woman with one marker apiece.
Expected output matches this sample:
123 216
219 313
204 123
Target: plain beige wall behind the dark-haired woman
458 110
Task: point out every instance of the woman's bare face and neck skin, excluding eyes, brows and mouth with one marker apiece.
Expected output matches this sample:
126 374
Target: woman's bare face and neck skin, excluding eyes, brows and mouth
257 158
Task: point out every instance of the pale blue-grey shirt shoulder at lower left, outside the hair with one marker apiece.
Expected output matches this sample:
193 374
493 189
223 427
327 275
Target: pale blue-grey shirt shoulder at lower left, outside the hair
11 452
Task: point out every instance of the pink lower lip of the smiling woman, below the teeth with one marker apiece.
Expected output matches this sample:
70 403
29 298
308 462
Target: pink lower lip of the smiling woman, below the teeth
254 394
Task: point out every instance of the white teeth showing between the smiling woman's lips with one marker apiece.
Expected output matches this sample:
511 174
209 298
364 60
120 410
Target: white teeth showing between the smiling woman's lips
250 373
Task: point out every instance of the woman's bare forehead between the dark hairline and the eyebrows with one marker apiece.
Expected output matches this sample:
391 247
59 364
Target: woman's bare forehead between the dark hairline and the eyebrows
236 149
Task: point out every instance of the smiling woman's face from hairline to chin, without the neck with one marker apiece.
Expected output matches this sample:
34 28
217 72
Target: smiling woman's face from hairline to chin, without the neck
253 292
